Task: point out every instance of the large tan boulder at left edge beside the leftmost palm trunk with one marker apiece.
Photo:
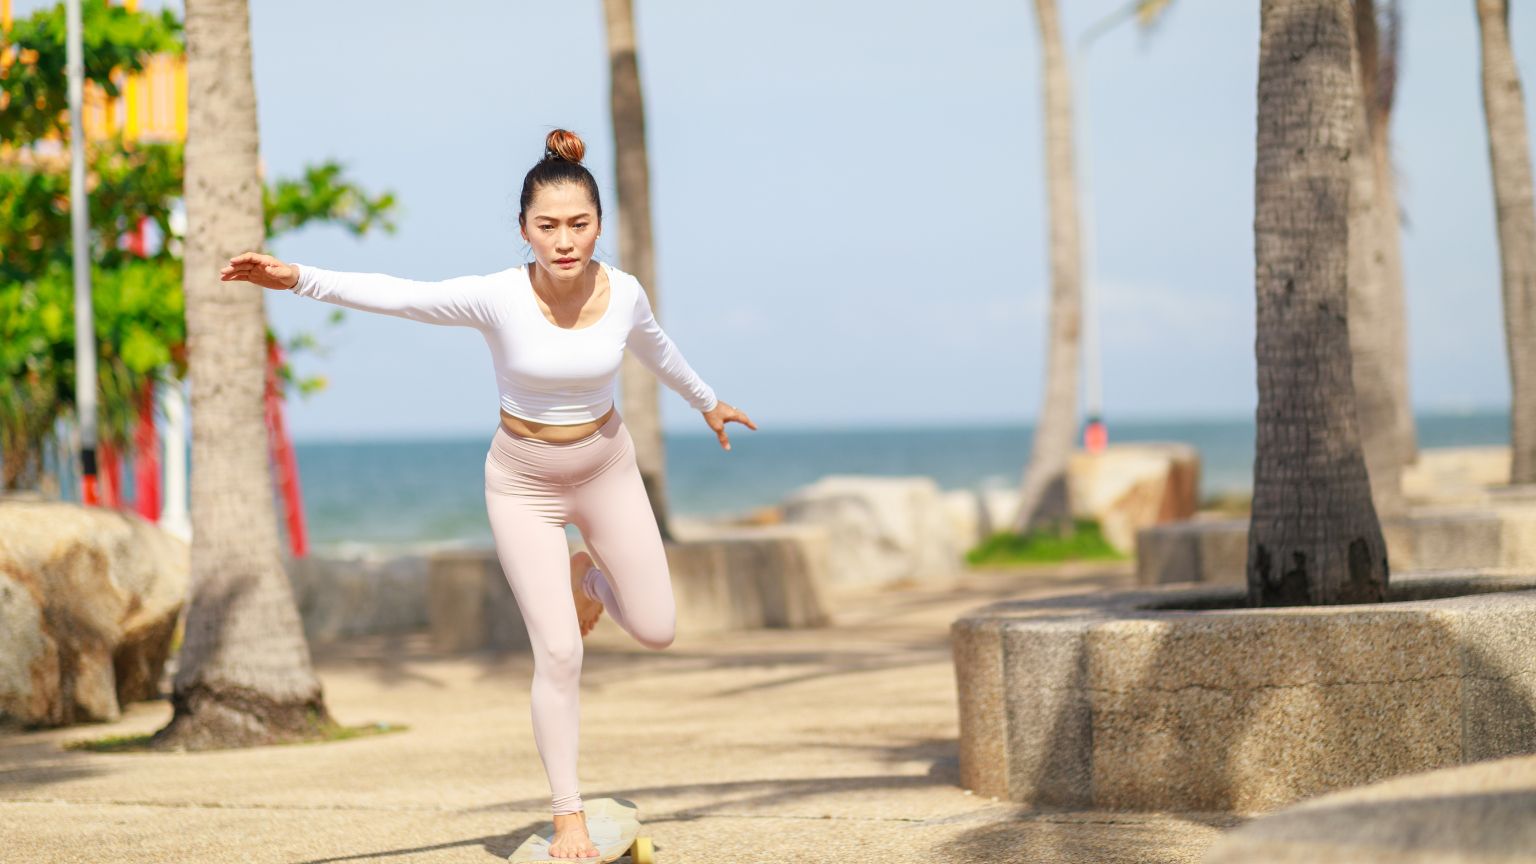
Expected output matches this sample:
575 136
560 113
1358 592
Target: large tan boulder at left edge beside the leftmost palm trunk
90 600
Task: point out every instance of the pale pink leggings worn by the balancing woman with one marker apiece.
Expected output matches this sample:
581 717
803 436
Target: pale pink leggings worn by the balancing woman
532 490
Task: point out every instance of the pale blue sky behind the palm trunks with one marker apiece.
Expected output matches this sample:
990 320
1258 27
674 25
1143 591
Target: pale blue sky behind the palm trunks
849 202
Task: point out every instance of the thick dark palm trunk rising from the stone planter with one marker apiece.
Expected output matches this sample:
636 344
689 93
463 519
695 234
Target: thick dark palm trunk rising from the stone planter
1314 536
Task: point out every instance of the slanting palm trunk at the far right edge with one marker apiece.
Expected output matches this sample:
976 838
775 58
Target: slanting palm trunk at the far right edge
1509 153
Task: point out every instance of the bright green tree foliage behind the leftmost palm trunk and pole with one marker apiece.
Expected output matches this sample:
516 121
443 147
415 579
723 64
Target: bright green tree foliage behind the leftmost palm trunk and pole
139 308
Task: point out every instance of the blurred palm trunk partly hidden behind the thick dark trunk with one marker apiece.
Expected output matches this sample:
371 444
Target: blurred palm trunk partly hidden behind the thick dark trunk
1371 328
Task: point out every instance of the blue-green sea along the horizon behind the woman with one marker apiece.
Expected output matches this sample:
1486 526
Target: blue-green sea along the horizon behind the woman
391 496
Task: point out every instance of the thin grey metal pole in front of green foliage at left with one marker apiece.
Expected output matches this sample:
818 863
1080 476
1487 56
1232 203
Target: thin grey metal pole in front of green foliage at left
79 222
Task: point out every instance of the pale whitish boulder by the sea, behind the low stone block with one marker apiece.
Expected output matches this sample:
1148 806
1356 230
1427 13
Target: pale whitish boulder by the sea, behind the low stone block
882 530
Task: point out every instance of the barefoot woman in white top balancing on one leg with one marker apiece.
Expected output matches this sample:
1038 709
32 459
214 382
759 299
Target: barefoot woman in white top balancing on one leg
557 331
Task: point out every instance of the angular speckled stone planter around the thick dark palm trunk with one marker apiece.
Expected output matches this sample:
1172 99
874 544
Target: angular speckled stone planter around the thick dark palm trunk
1185 700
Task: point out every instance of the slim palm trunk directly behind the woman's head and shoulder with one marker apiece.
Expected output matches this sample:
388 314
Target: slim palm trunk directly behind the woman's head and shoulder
632 170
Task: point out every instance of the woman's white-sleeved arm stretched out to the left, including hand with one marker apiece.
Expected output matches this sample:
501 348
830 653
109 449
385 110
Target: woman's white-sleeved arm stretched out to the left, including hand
468 302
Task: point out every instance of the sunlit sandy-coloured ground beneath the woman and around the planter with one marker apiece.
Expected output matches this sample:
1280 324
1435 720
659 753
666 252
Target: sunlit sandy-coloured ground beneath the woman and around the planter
770 746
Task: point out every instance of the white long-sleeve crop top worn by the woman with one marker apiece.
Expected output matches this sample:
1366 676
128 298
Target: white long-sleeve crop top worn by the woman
546 373
